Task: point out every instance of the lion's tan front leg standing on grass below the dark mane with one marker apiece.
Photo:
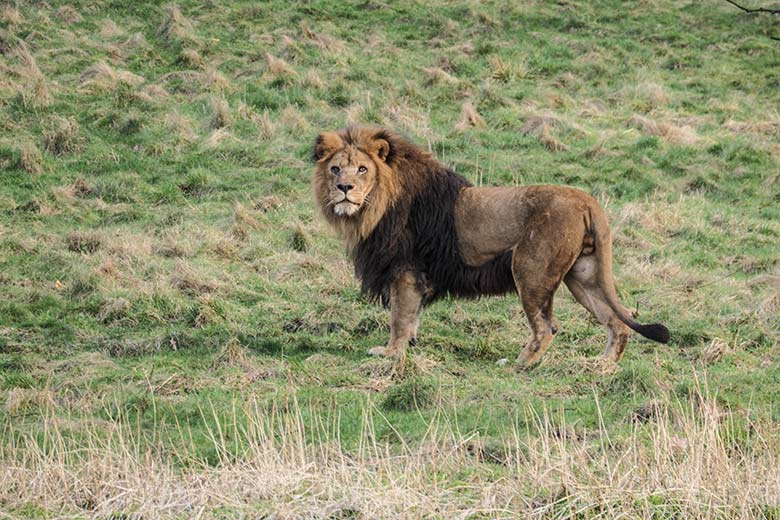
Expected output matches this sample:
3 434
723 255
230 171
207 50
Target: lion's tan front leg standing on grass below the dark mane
405 306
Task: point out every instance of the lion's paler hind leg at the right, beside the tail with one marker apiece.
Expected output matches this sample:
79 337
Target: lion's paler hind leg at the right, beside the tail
583 284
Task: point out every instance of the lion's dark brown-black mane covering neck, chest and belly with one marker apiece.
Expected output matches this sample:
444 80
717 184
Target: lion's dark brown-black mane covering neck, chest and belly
418 232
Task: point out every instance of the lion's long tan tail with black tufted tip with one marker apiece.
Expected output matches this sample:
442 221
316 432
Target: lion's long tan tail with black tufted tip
603 251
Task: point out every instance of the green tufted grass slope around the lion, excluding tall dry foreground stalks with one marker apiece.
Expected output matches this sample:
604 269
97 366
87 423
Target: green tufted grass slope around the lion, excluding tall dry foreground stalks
158 209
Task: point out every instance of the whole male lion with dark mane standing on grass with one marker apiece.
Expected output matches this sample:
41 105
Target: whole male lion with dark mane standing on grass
417 231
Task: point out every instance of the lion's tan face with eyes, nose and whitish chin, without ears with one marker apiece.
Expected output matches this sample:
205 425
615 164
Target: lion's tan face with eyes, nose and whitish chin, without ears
350 176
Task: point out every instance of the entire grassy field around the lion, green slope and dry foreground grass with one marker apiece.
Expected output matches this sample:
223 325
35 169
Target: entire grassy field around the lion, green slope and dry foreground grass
181 335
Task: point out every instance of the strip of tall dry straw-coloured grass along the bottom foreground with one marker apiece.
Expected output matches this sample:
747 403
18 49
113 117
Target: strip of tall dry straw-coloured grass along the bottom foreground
688 460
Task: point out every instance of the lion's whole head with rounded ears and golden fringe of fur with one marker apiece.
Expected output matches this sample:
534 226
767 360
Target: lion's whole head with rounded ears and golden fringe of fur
354 183
